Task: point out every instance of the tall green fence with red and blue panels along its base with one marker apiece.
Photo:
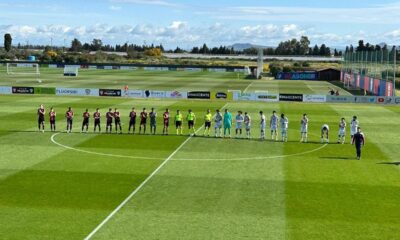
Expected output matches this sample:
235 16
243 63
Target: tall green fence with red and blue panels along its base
372 71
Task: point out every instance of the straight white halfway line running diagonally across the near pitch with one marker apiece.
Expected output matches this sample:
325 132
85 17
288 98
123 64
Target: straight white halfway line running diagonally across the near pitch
91 234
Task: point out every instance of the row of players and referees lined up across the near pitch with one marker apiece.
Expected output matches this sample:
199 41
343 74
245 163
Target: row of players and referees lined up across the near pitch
221 122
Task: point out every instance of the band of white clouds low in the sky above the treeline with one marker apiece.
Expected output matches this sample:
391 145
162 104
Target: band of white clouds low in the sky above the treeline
179 33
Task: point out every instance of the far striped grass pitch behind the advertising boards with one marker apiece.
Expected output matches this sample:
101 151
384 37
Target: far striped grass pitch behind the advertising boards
162 80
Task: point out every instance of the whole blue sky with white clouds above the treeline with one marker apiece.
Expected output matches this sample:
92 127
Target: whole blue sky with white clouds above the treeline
188 23
